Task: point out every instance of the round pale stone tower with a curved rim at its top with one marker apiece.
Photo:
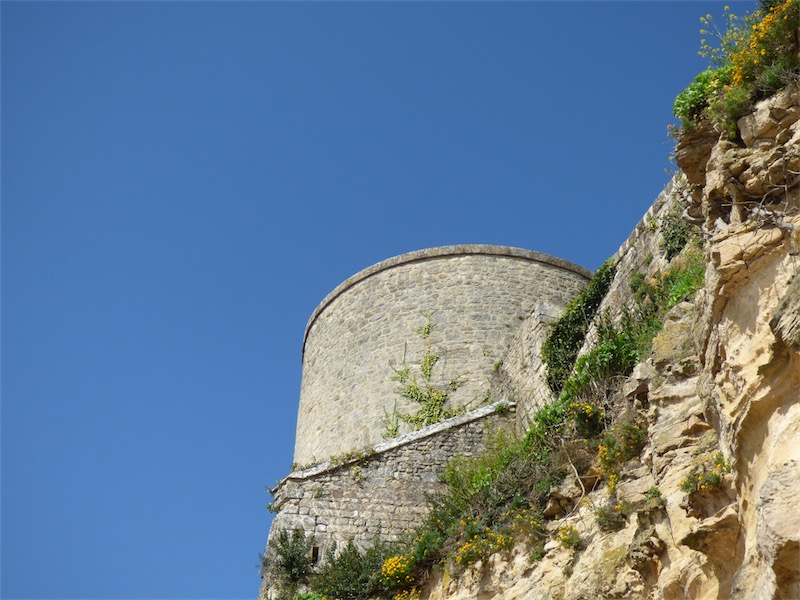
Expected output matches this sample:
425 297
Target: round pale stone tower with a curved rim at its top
475 298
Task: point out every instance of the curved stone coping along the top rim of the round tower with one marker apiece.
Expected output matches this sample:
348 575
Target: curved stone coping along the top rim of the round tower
442 252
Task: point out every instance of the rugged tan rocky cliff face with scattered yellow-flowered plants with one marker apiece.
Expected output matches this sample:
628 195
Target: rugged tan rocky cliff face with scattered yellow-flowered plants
721 397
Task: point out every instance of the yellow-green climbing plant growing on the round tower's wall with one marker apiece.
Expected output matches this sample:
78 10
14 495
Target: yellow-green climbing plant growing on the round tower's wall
420 388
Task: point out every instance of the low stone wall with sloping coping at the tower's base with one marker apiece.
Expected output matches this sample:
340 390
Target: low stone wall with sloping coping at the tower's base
382 493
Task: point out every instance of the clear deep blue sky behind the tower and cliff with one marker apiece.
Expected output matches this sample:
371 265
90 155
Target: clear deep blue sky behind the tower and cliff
183 182
